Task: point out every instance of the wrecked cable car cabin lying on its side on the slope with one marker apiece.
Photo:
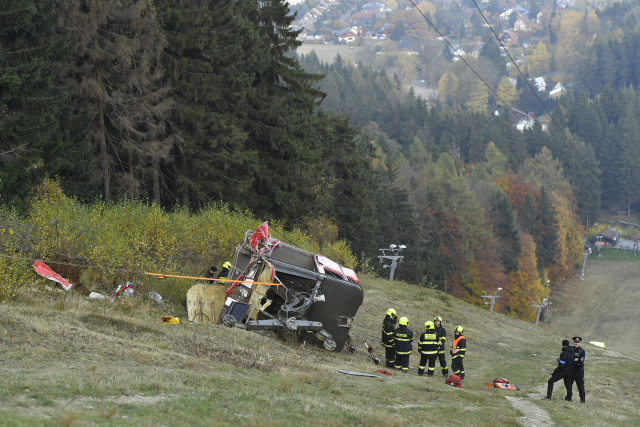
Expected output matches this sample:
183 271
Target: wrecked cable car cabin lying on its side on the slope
312 298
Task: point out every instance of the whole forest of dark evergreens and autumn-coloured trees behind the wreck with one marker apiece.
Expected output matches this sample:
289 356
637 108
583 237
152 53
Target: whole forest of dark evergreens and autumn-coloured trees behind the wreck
186 103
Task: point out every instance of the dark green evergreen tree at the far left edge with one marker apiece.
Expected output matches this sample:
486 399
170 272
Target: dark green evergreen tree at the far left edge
32 110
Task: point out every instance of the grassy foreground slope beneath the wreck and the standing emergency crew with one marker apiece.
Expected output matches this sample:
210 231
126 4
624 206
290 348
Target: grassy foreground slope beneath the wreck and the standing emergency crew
119 365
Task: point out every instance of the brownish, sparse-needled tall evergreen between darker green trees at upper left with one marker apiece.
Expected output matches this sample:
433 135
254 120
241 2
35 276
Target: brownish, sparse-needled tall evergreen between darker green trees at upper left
117 65
